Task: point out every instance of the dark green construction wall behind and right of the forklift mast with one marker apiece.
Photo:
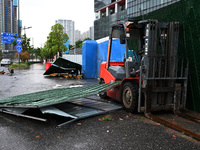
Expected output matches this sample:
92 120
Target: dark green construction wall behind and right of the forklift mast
187 12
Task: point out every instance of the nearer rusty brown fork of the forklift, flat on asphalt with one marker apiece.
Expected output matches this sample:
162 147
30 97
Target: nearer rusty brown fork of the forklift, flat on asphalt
174 126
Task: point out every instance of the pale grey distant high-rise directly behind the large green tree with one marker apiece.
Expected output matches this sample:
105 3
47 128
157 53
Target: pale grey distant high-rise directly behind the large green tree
68 28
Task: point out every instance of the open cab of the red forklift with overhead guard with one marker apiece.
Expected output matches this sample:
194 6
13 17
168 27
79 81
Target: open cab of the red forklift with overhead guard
127 32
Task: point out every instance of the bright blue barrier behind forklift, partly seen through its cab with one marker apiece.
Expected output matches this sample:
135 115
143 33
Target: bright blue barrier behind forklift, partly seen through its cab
93 54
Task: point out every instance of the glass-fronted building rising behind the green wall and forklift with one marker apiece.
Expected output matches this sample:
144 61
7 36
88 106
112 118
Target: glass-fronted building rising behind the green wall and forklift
109 11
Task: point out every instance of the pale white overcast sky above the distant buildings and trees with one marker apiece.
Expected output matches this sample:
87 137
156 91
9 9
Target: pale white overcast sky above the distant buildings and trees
41 15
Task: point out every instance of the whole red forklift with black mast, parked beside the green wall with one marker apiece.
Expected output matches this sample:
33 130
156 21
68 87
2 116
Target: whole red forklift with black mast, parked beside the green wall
155 79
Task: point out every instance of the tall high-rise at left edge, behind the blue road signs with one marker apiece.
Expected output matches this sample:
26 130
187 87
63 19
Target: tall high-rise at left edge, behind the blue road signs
8 21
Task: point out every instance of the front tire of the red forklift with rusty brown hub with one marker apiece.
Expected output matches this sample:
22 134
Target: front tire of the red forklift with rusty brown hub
130 96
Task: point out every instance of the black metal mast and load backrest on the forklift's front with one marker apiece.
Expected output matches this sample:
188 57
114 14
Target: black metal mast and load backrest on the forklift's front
164 75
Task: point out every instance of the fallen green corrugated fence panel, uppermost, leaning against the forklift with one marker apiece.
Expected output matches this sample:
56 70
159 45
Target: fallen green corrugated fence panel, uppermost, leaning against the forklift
54 96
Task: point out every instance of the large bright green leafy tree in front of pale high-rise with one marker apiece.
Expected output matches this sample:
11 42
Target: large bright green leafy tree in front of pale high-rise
55 42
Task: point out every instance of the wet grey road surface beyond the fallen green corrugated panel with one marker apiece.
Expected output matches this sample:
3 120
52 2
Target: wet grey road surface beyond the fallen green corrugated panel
32 80
